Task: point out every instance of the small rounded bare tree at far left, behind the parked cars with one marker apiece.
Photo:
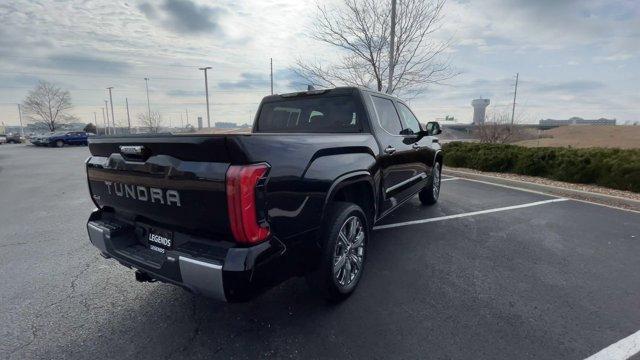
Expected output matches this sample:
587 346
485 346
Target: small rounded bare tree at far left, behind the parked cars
48 105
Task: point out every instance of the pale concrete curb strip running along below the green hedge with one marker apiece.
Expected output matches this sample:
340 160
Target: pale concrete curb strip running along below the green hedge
602 199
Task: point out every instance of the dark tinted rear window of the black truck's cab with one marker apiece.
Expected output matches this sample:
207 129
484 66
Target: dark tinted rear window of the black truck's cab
332 114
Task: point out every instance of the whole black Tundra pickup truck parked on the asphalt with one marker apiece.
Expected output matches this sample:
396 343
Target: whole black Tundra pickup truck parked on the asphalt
231 215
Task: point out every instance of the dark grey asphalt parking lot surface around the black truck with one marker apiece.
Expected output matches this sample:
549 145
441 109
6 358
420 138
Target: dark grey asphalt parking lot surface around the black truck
487 273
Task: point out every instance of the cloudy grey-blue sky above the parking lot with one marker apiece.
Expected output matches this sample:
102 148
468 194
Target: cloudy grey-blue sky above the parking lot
575 57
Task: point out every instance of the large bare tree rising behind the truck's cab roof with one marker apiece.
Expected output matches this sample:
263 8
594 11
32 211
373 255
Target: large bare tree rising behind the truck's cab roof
361 29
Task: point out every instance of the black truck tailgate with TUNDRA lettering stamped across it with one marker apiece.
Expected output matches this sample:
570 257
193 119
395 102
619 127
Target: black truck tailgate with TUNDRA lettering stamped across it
171 181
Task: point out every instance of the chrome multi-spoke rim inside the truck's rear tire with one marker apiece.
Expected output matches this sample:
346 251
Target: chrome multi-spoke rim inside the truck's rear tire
349 252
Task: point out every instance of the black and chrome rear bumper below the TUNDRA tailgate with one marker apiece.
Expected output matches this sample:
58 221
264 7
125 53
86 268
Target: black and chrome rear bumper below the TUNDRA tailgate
214 269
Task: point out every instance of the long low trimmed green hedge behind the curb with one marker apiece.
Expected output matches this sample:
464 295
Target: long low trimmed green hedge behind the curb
613 168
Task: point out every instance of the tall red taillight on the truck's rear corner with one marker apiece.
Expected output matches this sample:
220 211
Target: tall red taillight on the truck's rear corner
241 202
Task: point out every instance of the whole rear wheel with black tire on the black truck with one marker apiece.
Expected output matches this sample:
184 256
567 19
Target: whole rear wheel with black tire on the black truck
343 242
